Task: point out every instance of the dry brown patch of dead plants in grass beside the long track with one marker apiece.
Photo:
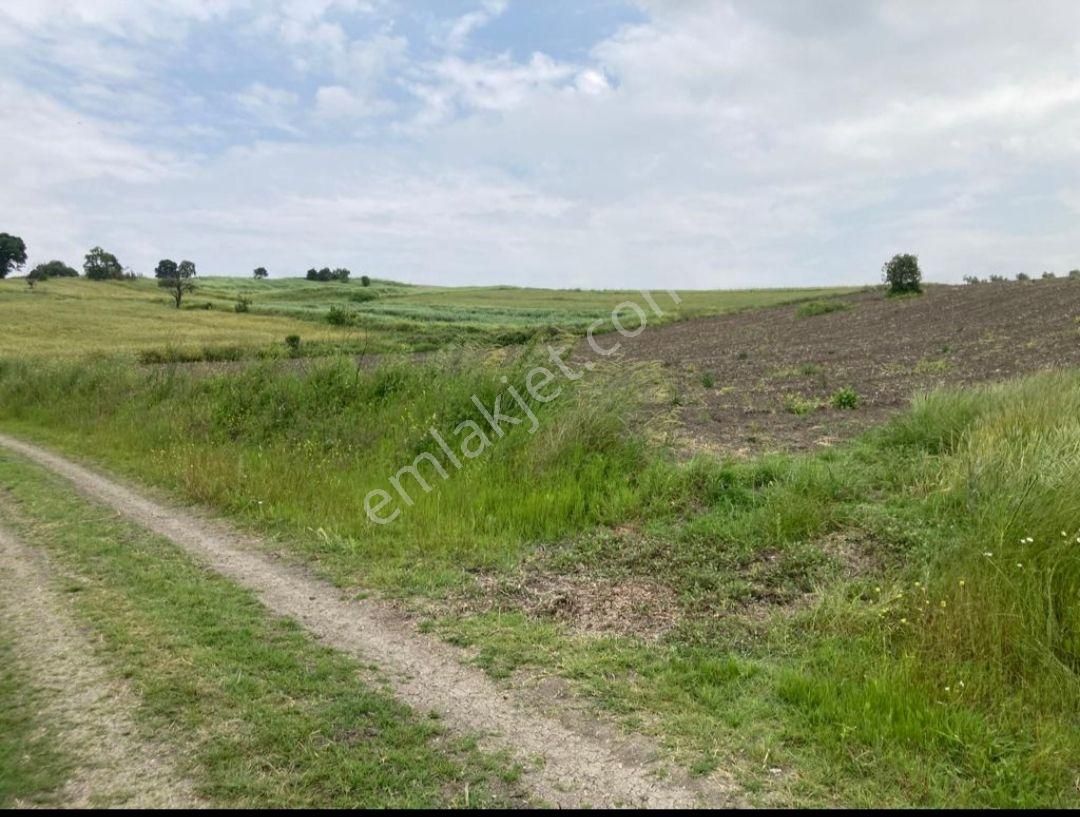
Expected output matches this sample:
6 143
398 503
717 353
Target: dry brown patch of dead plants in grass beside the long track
588 605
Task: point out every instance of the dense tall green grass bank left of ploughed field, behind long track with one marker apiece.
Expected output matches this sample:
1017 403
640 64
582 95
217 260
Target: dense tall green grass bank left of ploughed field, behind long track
304 449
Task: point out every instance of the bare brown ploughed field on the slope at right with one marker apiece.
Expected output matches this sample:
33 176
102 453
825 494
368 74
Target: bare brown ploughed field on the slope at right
887 350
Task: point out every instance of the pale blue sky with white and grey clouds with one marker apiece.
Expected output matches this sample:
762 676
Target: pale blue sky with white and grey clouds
558 143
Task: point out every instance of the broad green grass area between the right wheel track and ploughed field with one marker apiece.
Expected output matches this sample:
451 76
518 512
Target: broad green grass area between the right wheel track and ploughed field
840 666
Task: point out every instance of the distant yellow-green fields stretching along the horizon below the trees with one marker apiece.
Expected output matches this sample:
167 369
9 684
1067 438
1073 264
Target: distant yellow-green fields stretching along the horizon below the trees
78 318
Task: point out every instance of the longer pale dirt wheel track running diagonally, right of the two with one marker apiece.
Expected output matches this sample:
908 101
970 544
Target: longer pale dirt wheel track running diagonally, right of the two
569 760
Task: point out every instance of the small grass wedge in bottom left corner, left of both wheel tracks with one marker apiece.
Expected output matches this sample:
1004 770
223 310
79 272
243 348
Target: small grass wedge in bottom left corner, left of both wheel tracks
32 766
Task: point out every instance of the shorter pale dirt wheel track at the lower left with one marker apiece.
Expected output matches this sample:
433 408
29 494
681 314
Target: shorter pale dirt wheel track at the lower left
114 766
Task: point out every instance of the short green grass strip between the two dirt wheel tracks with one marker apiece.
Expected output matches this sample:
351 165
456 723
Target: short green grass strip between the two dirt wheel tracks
268 717
